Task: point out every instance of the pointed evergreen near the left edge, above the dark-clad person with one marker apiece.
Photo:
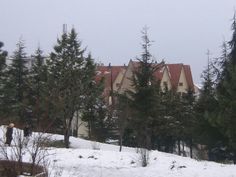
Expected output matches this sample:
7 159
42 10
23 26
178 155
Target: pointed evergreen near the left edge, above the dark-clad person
16 86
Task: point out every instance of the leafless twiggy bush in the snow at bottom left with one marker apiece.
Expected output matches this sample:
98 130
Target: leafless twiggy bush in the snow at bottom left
29 149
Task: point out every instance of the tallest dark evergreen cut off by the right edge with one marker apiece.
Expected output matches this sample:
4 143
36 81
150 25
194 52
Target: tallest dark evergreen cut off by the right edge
226 94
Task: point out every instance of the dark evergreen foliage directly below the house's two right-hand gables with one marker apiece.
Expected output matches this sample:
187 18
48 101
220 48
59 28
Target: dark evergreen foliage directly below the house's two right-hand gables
177 120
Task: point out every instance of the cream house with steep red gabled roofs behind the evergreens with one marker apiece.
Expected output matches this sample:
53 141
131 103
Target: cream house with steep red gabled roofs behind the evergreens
119 78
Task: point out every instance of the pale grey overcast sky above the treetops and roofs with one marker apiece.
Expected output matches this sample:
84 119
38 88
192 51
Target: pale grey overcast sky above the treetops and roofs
183 30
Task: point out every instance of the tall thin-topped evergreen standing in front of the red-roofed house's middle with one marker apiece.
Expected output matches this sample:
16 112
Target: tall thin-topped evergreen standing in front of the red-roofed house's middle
145 98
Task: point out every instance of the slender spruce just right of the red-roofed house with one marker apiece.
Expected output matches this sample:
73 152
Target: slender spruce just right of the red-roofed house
206 132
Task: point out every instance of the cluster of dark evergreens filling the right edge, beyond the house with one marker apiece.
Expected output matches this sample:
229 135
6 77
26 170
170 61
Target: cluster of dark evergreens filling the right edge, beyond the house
216 105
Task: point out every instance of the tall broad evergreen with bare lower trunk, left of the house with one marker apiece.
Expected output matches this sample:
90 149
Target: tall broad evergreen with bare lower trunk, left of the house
65 78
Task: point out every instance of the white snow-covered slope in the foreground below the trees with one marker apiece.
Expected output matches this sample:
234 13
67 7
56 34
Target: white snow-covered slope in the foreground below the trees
91 159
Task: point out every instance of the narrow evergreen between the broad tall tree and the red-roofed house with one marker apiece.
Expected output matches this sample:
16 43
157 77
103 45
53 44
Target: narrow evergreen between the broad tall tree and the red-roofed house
94 109
